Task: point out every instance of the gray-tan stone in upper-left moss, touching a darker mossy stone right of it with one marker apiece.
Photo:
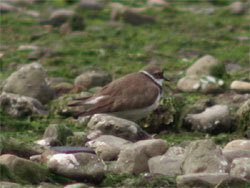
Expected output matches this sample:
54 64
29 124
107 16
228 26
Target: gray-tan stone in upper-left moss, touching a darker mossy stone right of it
58 17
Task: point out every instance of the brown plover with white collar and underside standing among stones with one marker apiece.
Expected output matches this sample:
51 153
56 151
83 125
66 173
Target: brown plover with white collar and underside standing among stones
131 97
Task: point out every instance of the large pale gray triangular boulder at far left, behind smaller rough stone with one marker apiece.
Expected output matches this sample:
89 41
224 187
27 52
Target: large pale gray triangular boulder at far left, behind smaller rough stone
31 81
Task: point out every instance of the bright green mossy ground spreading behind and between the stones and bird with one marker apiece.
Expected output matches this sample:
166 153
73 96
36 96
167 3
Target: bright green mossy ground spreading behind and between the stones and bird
174 42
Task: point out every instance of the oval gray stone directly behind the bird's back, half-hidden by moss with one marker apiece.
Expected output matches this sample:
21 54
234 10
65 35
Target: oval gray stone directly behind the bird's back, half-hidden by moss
92 79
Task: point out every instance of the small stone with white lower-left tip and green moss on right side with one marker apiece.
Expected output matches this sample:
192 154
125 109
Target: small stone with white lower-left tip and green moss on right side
55 135
